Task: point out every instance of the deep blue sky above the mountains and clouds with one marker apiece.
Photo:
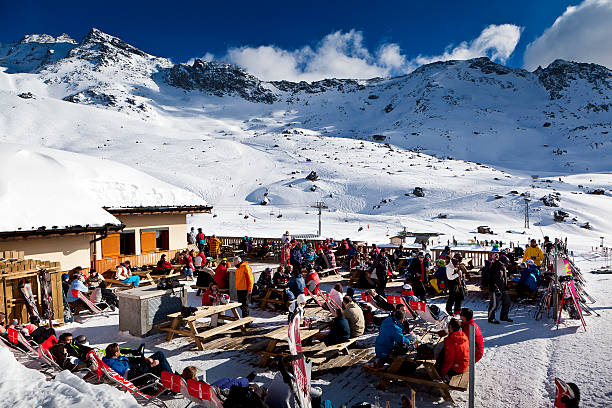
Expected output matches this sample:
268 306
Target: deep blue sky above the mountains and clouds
182 30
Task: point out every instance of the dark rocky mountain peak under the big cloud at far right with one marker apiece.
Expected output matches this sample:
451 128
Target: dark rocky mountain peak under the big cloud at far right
560 74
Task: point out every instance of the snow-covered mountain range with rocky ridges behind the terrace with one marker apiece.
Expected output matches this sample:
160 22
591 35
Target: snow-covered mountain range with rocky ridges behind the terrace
237 141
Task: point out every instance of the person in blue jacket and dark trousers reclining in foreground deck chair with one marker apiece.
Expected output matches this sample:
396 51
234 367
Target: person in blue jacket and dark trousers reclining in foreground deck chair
130 368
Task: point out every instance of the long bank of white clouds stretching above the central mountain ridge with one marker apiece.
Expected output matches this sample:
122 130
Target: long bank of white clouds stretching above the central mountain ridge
344 55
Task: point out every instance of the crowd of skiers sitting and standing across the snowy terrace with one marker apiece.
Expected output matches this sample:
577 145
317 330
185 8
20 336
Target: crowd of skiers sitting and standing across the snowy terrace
296 281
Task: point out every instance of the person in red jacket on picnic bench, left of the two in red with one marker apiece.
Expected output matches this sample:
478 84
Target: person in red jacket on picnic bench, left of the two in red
454 357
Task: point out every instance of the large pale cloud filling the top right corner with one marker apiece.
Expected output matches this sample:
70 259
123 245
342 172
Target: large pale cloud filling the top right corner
582 33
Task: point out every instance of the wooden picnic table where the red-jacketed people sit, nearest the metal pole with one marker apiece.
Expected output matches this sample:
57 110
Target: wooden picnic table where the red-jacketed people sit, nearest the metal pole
432 378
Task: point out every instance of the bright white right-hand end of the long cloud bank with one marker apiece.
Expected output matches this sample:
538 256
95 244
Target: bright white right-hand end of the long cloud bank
496 42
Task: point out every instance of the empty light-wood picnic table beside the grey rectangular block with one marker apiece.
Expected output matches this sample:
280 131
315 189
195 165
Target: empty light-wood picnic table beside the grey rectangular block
206 311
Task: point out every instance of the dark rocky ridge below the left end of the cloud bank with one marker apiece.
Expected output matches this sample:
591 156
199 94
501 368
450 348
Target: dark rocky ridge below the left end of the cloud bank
219 79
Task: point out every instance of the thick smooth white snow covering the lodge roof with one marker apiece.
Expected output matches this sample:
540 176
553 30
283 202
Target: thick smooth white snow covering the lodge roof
49 188
